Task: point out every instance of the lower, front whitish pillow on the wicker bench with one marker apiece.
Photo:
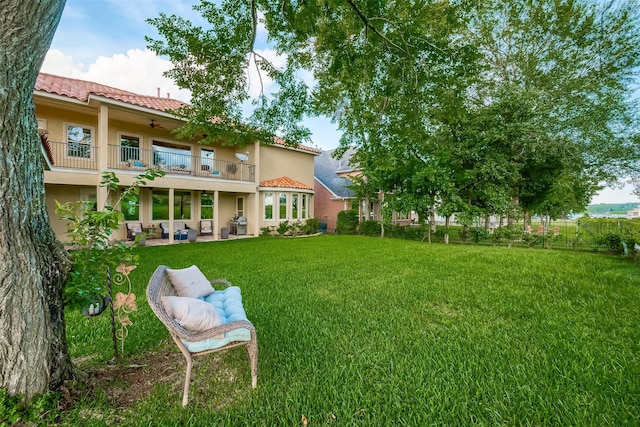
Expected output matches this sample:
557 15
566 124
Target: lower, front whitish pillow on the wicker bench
193 314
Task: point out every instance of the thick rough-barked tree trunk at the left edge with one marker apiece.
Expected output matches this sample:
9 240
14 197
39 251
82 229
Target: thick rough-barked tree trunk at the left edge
33 263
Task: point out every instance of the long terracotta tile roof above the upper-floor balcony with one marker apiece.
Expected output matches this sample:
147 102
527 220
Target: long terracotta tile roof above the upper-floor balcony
82 90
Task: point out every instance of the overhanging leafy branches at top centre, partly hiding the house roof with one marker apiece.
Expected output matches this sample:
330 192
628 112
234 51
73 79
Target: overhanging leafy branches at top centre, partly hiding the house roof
375 63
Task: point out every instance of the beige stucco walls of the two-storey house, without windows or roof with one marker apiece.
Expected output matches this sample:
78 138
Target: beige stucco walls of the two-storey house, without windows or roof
72 179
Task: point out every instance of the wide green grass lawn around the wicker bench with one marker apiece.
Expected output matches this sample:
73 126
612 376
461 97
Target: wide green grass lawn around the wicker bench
380 332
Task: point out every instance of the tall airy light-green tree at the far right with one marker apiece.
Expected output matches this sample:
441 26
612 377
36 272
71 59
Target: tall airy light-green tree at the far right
559 74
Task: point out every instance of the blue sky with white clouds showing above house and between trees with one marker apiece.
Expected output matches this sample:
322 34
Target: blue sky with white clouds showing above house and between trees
103 41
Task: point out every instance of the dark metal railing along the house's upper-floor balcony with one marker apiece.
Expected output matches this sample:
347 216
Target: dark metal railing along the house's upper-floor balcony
83 156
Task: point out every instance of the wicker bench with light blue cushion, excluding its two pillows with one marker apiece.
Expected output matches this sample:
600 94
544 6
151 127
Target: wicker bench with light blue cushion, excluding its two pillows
235 331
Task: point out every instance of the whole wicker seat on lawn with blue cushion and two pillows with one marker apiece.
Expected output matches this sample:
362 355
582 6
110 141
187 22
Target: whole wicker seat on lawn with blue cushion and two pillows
192 332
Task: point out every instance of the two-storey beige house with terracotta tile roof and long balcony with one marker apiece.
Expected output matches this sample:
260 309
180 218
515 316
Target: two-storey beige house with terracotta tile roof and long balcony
88 128
